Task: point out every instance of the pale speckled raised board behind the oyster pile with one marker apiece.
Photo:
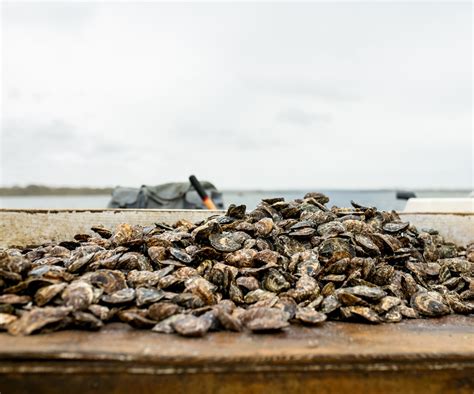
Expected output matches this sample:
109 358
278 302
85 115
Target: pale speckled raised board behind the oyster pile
23 227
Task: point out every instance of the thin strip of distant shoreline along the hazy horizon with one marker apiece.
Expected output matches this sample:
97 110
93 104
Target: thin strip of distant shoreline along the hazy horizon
38 190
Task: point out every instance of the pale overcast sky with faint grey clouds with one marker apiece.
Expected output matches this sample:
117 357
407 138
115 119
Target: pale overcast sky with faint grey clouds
246 95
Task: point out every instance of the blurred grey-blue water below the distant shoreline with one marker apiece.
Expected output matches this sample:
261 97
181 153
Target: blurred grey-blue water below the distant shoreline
382 199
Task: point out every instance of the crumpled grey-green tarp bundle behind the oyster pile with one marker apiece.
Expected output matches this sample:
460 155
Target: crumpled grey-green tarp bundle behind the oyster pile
165 196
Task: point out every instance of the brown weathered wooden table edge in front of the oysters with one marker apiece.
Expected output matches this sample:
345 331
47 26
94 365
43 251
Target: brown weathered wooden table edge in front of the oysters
435 355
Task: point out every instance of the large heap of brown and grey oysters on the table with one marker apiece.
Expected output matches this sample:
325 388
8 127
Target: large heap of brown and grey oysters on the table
295 262
